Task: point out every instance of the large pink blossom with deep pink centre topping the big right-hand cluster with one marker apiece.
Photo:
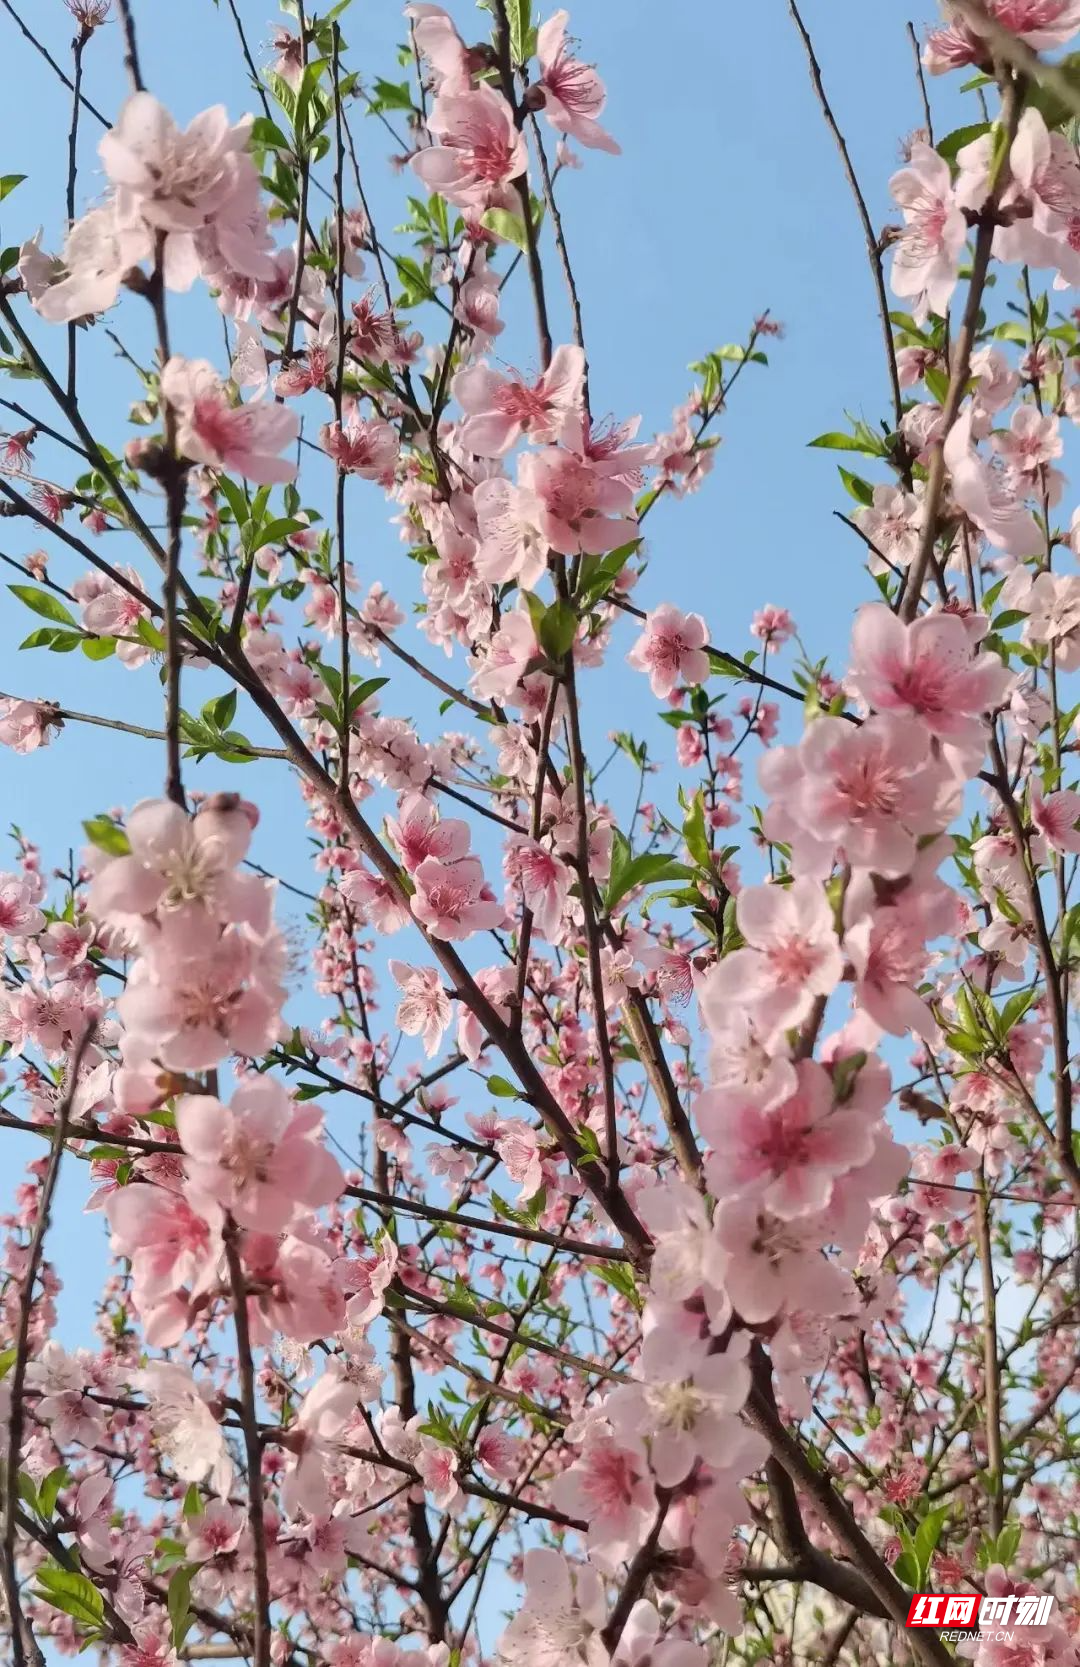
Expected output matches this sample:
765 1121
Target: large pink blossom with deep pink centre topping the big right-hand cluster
927 669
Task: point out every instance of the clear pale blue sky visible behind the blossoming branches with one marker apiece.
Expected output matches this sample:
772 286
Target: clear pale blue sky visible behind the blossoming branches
727 201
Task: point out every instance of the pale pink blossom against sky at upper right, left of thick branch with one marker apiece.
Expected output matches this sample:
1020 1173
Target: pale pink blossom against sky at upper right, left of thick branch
927 256
